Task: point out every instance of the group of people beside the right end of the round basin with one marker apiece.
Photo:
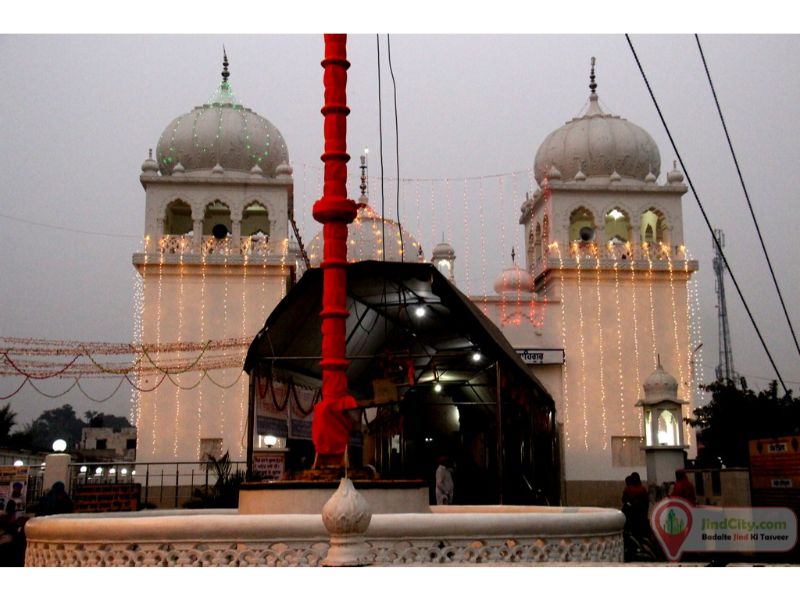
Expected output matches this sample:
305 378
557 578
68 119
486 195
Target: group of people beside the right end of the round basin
638 537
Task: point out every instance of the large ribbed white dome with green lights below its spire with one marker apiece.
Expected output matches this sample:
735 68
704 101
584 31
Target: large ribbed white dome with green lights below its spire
221 132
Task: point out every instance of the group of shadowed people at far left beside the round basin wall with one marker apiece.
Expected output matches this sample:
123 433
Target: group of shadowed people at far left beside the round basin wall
12 523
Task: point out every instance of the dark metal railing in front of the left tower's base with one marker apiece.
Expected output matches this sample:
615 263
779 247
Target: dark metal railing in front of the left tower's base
164 484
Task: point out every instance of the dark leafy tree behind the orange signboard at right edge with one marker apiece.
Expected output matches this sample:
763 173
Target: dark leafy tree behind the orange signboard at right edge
735 415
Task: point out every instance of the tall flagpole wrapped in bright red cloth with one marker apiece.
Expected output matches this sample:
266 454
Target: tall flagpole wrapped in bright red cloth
330 428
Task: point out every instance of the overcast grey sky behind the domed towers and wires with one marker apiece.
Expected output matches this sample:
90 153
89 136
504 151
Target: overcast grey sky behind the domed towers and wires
80 112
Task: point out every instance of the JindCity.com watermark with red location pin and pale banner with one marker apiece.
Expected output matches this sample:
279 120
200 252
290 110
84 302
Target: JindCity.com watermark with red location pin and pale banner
681 527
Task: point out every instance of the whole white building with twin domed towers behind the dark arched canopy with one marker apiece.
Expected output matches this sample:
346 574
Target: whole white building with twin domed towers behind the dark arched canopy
601 294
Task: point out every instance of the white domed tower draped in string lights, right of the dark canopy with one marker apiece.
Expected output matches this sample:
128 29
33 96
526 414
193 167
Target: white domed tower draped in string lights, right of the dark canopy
603 293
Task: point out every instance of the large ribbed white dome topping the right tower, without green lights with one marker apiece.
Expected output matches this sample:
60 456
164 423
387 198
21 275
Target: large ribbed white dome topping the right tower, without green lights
598 144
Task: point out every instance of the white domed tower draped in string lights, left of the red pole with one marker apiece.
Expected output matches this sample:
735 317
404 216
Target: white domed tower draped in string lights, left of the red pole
217 259
